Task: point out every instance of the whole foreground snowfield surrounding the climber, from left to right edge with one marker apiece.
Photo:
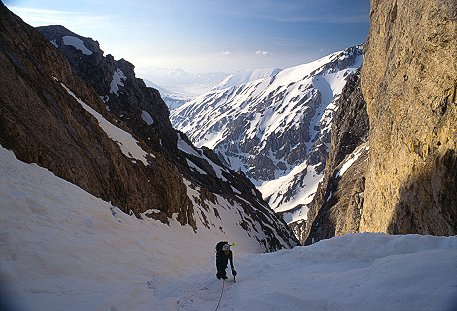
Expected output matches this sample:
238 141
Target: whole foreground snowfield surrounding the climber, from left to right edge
63 249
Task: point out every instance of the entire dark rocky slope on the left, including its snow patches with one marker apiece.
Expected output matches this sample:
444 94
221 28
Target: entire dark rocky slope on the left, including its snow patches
87 119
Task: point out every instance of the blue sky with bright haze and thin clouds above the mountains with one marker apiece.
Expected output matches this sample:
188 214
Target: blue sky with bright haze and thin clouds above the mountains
208 35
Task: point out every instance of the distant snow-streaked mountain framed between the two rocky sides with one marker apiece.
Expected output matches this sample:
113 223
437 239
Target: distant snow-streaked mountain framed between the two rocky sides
275 129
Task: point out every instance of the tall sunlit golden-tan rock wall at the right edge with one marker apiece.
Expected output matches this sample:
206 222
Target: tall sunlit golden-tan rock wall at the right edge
409 80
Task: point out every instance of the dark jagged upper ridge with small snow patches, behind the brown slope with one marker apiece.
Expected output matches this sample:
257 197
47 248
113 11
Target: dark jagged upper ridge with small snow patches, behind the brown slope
114 81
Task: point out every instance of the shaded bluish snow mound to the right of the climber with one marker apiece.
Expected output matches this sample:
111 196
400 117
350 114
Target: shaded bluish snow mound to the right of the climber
354 272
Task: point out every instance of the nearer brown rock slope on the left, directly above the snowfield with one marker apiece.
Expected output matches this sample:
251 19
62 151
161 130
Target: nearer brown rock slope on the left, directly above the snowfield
43 124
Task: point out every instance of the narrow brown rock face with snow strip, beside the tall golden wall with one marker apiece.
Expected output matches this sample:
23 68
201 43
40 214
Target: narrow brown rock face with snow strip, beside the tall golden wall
337 206
